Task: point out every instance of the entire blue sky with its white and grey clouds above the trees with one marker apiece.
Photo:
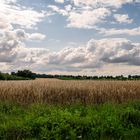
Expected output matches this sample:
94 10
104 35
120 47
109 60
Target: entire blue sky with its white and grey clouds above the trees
74 37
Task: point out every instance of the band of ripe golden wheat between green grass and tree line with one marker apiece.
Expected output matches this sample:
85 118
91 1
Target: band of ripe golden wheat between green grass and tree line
53 91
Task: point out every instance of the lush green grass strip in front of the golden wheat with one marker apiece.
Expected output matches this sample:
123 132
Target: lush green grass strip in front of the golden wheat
44 122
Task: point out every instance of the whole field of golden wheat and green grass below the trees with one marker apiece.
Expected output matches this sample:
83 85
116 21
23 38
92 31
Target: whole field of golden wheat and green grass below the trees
60 109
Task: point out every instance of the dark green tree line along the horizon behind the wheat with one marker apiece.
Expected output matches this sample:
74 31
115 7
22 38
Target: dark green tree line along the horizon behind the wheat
28 75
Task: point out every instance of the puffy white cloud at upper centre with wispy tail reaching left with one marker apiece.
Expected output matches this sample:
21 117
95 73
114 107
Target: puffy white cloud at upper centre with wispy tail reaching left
75 17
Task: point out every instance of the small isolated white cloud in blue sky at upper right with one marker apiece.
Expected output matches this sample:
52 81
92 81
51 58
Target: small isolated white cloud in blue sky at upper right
122 18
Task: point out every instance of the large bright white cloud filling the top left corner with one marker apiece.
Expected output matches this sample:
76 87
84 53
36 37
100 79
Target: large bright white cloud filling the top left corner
12 13
